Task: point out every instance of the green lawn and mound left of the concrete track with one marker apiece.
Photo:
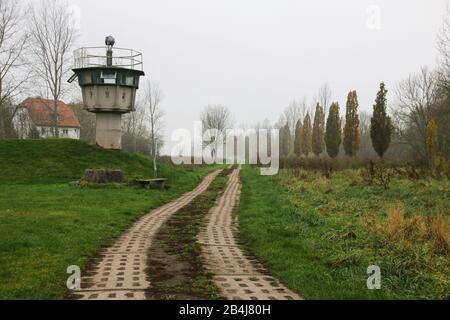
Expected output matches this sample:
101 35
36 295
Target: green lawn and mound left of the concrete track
47 225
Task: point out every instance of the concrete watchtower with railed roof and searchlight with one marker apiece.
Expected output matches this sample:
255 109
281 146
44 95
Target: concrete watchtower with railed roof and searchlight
108 83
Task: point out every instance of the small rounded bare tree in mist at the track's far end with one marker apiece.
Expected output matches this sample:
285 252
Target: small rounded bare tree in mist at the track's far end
216 119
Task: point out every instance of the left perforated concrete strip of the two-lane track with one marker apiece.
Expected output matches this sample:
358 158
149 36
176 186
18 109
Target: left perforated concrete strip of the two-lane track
119 273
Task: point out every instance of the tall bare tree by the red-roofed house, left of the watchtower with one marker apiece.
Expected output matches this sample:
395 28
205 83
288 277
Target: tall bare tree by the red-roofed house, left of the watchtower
52 38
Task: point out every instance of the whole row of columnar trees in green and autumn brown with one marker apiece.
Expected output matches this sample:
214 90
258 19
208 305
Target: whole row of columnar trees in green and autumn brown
319 136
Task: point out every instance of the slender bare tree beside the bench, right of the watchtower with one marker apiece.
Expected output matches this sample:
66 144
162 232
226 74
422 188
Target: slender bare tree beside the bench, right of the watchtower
152 99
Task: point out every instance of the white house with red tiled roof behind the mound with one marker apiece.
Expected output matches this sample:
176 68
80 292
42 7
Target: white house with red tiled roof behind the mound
37 115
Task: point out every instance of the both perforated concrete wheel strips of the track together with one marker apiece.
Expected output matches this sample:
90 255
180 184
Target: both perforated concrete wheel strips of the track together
120 271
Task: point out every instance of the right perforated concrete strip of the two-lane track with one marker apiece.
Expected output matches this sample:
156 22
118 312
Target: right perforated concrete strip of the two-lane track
238 276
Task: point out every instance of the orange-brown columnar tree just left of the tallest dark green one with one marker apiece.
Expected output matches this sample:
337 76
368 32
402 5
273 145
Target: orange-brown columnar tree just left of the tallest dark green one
351 129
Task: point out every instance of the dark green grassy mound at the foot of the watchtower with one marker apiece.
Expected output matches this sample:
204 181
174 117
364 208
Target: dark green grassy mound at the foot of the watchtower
59 160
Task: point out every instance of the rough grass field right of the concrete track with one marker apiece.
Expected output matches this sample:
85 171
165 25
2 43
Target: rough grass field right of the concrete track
320 235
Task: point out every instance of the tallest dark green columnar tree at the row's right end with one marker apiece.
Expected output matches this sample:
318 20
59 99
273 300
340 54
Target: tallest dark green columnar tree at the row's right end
381 124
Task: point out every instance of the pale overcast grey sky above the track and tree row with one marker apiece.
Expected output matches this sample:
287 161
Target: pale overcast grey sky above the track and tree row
256 56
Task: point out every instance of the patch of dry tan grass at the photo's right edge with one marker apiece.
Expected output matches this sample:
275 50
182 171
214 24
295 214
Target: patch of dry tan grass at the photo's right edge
407 231
